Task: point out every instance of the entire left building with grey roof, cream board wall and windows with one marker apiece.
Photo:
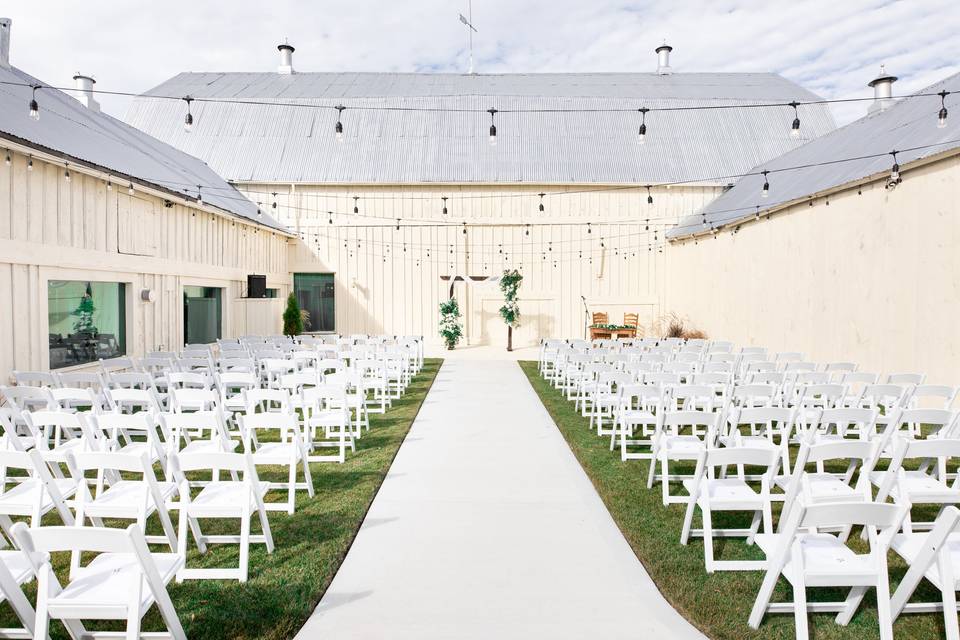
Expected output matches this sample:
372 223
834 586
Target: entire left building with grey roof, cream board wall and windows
105 249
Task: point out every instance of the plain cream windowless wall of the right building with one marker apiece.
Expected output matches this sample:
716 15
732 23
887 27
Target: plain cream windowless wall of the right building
872 278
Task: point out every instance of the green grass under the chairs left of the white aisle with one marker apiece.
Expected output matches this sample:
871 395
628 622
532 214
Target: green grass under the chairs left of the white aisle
285 587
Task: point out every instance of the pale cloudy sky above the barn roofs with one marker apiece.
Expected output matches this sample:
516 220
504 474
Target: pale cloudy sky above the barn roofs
833 47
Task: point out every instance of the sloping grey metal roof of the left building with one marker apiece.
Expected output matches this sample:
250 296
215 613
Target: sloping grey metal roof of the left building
68 128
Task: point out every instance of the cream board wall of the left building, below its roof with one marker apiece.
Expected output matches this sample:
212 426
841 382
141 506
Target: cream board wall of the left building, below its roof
52 229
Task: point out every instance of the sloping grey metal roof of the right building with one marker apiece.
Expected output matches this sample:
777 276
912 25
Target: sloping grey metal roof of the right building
907 124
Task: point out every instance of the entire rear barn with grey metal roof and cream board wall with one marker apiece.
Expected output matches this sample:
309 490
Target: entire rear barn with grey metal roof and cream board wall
377 252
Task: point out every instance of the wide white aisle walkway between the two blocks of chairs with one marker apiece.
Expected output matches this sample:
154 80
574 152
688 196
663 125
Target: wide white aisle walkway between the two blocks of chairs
487 527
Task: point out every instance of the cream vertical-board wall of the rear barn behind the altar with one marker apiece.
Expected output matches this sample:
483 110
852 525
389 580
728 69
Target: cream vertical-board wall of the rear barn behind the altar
382 288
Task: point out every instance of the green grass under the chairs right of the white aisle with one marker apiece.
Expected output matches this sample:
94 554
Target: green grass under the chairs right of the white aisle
717 604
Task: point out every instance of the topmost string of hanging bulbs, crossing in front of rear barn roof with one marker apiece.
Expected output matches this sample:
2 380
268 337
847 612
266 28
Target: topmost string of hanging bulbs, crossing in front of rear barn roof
338 128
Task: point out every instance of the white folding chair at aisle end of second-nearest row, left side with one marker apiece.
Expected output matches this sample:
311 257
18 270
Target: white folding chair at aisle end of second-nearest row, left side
220 499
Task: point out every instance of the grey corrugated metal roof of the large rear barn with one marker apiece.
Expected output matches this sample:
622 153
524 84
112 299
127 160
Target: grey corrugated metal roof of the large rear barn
284 143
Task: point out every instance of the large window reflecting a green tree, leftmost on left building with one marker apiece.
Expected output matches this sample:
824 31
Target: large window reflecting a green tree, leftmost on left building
87 321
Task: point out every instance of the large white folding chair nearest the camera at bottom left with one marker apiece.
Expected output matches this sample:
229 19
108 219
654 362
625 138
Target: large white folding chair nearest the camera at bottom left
121 583
